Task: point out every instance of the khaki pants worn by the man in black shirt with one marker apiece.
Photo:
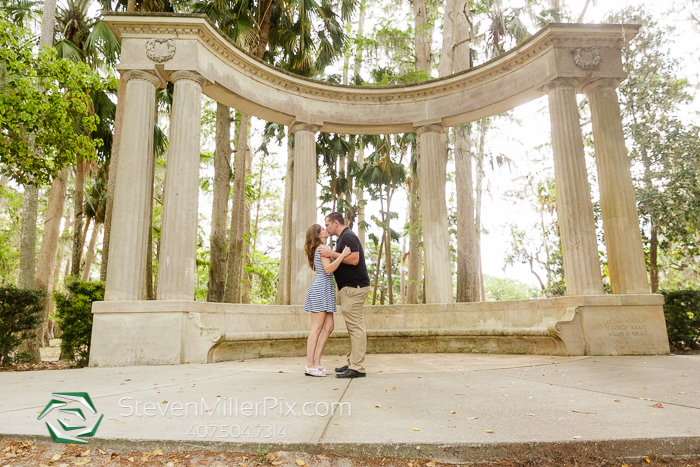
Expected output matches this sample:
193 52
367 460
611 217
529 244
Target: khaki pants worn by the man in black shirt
352 299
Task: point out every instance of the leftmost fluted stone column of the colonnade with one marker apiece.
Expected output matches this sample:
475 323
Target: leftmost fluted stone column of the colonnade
132 193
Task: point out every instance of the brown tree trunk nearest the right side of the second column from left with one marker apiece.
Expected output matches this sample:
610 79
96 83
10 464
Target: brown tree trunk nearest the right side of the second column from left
222 187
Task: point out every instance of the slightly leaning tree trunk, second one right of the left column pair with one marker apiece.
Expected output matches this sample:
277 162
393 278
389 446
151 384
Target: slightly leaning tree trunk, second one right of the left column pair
234 263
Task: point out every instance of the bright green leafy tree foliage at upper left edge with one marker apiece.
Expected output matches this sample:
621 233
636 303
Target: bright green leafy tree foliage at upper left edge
40 98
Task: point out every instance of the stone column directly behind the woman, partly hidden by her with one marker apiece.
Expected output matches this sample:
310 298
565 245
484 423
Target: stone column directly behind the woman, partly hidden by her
303 207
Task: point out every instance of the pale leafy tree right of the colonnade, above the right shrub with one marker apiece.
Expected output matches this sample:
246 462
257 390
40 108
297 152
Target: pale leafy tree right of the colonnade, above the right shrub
664 151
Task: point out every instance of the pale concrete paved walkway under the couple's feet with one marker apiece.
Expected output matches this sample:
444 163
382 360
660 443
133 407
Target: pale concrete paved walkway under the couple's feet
439 405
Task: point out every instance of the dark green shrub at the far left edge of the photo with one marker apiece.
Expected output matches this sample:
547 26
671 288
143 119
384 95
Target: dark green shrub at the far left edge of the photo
20 315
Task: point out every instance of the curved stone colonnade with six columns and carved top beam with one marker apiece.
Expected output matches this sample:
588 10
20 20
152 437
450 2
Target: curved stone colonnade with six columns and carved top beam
188 51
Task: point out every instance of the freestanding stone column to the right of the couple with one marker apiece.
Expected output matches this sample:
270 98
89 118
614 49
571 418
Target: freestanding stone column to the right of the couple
432 171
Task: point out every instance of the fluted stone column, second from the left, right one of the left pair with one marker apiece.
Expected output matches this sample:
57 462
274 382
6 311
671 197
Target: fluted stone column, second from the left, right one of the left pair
177 265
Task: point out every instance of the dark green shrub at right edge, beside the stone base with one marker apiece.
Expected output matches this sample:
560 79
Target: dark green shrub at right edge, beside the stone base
682 313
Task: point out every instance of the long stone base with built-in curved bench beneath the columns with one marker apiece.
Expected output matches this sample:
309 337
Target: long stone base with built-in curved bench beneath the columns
175 332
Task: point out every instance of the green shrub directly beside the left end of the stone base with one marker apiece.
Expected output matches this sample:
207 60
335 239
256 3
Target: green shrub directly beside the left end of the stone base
74 316
